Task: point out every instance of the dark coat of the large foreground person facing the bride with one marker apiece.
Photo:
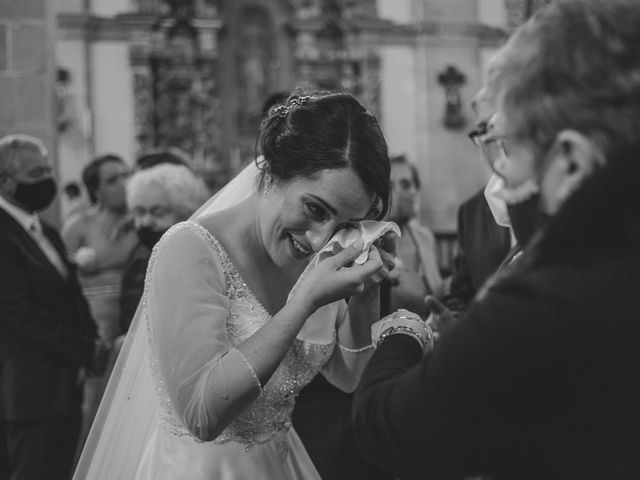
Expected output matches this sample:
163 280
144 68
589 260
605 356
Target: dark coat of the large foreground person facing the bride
541 378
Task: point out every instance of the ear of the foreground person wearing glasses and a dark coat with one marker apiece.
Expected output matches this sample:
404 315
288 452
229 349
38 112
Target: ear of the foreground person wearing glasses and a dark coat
574 158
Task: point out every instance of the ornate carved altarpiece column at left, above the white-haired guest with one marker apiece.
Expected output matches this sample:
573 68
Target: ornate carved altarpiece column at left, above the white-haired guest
174 60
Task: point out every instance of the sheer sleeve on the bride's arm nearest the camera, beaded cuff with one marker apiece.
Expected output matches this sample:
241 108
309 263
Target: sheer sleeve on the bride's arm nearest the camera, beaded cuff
208 382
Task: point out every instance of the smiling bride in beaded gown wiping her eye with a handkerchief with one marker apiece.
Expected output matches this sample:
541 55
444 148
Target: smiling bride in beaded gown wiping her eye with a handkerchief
232 326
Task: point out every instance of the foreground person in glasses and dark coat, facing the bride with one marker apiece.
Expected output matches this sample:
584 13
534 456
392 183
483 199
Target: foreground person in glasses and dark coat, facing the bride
540 378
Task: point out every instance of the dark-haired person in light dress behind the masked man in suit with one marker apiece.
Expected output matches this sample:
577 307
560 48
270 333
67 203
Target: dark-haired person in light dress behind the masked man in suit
100 240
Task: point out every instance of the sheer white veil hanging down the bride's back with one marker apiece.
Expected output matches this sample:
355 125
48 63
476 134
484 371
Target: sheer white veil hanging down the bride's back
127 413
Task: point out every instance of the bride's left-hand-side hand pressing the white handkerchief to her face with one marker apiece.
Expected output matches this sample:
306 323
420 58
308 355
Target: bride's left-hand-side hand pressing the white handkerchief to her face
337 277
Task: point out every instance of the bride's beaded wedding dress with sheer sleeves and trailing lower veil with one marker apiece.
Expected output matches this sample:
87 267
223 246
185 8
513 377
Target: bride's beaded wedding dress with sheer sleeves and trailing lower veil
177 369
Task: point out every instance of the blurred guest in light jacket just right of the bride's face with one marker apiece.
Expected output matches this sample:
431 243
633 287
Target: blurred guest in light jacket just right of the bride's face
417 273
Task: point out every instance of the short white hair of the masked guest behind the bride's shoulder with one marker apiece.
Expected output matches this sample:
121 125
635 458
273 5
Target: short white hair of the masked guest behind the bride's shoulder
184 191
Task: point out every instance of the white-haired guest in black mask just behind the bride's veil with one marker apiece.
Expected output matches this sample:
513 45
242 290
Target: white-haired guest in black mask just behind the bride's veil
158 197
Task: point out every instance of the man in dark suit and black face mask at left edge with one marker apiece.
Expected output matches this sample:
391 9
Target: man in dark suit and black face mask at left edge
47 334
